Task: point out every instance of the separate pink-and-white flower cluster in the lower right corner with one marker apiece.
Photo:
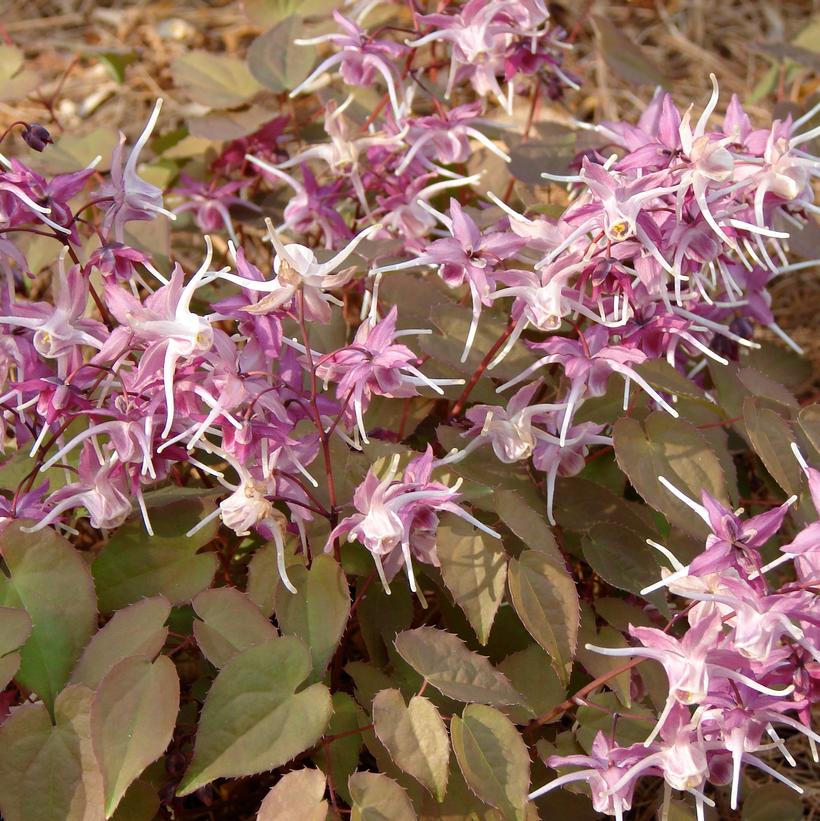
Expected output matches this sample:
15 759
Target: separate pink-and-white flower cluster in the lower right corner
747 663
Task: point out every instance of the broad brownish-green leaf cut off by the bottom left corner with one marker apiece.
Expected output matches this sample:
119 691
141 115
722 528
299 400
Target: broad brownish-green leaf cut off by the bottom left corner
50 772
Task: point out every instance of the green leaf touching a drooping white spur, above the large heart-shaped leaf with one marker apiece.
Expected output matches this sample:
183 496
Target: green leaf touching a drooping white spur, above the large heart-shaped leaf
318 611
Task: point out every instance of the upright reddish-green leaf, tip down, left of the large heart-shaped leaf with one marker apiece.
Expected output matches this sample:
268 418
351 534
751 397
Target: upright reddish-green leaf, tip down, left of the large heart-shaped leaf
132 721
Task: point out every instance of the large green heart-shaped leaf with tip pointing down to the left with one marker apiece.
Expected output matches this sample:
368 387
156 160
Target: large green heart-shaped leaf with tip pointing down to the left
254 717
